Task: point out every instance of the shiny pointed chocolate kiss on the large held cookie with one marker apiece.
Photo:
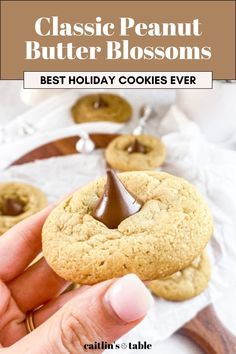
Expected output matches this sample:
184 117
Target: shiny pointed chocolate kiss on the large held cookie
116 203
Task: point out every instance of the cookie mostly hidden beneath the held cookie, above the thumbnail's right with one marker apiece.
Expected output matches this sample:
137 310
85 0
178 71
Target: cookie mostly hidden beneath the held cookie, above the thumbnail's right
186 283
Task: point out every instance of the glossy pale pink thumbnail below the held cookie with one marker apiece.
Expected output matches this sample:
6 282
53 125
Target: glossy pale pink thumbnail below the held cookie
129 298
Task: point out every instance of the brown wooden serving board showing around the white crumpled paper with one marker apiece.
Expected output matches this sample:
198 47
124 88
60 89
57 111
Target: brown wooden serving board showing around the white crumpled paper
205 329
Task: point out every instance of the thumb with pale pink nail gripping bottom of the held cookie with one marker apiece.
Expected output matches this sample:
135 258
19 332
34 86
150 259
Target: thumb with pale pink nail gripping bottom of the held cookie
103 313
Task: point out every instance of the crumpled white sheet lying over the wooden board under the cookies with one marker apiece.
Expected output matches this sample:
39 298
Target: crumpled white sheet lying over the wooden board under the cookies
210 168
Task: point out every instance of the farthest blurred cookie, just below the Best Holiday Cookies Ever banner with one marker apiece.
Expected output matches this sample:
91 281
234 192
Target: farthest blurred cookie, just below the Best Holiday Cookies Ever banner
101 107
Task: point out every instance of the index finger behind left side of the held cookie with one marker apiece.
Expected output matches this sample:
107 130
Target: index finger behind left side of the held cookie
21 244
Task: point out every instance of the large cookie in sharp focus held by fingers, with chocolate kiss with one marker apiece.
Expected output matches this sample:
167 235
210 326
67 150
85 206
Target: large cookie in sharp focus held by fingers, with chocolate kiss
148 223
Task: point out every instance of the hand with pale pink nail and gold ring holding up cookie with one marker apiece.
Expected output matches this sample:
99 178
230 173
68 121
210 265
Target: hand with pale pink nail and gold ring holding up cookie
67 322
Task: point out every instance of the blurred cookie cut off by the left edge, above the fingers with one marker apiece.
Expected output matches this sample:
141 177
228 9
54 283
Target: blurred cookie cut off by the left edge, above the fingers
17 202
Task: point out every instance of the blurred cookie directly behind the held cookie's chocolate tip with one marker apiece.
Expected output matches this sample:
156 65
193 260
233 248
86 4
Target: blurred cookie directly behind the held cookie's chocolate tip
123 153
